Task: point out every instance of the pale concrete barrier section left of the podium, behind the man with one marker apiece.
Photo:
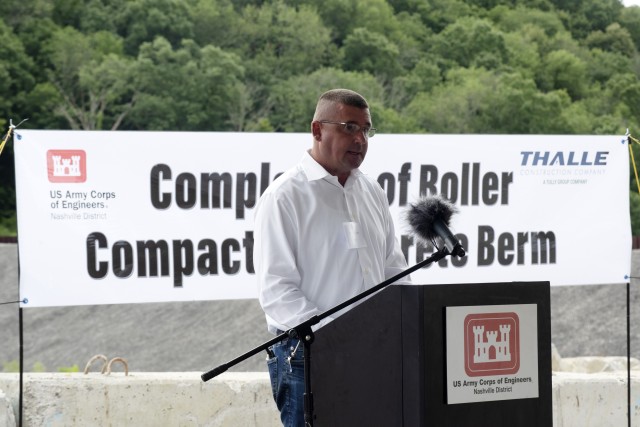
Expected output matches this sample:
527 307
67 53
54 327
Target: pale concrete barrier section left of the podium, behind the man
142 399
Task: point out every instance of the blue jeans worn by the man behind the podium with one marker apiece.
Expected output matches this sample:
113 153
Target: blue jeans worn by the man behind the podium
287 381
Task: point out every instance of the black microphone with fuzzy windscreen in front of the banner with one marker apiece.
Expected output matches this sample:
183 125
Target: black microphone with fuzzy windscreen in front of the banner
429 218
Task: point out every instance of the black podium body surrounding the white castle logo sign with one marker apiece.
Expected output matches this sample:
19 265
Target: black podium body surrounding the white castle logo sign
384 363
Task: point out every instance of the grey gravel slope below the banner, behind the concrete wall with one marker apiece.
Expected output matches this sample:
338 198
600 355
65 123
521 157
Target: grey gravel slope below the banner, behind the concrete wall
198 336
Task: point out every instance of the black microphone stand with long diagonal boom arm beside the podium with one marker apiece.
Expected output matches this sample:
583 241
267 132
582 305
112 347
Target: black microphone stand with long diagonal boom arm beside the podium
304 333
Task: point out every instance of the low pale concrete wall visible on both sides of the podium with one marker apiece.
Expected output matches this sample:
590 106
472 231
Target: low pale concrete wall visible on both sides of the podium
244 399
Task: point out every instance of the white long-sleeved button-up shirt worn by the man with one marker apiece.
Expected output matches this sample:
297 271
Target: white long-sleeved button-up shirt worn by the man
318 243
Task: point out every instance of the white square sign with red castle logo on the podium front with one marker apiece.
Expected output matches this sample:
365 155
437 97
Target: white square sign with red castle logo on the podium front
492 353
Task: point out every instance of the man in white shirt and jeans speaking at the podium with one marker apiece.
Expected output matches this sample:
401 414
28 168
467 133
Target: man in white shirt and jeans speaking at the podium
323 234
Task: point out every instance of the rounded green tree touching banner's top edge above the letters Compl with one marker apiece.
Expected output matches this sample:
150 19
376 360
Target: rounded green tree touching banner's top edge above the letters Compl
190 88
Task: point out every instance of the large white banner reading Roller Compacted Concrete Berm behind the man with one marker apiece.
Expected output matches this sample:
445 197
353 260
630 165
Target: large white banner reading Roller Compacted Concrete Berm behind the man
125 217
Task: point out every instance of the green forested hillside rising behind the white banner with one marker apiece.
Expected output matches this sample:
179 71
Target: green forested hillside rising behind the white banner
426 66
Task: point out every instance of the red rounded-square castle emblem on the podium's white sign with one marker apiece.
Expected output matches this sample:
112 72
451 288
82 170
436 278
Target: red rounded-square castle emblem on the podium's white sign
491 344
